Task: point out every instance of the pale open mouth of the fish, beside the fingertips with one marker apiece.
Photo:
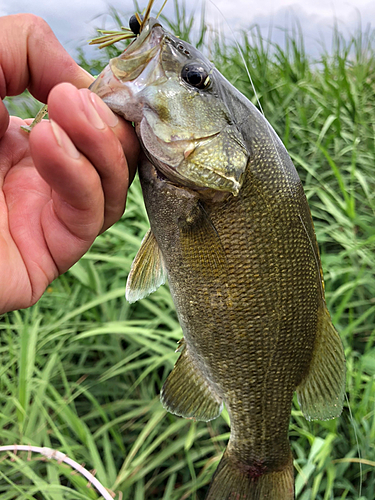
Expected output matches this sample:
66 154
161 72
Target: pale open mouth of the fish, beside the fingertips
135 65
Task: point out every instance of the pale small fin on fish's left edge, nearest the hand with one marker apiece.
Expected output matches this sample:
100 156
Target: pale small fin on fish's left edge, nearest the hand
147 272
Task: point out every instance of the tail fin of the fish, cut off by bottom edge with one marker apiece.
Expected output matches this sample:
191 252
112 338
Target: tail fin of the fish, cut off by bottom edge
234 480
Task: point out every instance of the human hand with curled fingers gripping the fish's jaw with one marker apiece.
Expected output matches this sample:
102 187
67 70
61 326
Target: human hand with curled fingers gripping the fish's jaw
66 181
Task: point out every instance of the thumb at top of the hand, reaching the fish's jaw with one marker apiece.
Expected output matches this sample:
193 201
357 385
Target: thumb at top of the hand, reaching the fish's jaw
31 57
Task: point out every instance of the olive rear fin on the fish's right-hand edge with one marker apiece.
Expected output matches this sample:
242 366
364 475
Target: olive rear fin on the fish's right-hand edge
321 393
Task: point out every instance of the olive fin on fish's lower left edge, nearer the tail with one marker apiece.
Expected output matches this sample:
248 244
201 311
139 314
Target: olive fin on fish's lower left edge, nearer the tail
187 393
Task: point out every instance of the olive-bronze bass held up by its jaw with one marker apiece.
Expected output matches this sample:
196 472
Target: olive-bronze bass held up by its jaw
232 231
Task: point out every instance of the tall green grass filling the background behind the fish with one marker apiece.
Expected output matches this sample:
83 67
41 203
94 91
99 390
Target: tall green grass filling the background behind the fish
81 371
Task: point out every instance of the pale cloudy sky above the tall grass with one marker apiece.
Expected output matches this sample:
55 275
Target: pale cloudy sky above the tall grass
74 21
